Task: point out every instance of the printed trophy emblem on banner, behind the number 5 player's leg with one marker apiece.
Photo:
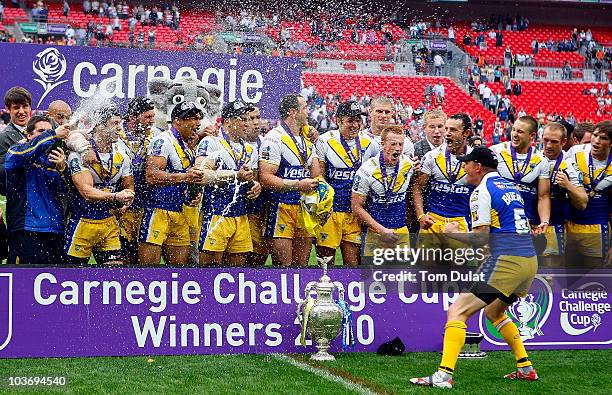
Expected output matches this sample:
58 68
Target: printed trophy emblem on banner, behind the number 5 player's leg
529 314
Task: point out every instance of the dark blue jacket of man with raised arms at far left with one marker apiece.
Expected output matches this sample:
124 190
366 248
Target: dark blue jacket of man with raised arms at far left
33 187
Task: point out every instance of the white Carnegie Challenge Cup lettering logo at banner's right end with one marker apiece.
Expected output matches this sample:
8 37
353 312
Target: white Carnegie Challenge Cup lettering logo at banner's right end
582 310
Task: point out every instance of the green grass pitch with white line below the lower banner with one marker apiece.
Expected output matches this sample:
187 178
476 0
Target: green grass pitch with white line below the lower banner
560 371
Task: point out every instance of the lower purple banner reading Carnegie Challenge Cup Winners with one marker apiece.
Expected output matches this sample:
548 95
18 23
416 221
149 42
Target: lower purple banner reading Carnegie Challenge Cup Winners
63 312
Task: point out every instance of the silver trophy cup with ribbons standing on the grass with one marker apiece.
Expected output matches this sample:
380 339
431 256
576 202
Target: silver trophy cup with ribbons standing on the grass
321 317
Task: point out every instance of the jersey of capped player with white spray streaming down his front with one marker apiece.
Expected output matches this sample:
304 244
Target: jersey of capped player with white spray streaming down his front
225 200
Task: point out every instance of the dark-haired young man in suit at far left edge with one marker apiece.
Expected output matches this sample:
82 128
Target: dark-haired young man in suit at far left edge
18 103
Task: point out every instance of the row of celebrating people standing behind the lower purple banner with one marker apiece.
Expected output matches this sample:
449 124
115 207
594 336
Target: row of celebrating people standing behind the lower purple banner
138 194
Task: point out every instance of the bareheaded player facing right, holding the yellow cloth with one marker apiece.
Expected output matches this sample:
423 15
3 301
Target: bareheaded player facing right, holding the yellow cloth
287 167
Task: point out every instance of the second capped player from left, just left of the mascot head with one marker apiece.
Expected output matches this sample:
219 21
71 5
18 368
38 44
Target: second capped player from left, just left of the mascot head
134 139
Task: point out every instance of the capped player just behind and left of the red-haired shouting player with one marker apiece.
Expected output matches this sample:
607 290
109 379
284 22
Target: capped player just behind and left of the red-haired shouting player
341 153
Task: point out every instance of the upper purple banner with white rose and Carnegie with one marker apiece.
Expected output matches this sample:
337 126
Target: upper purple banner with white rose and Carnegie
76 73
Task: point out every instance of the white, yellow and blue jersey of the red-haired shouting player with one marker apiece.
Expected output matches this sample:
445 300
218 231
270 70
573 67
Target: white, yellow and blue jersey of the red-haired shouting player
385 196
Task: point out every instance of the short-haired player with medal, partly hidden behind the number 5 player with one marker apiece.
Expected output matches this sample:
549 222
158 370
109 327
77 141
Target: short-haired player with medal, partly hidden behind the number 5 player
529 169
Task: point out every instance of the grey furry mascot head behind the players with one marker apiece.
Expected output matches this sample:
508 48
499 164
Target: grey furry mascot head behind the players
167 94
